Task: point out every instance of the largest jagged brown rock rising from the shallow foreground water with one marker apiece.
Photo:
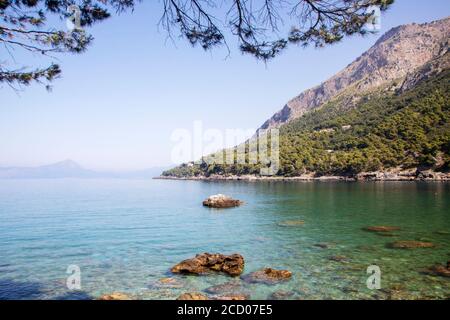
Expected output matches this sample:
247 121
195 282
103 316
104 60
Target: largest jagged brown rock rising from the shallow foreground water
203 263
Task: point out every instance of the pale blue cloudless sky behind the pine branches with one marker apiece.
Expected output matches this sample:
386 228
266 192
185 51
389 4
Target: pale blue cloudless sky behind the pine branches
116 105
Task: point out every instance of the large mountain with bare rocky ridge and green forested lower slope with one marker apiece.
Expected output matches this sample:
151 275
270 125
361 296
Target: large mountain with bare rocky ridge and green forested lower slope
386 114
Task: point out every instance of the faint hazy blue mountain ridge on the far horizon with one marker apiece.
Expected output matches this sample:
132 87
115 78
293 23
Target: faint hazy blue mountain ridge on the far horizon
71 169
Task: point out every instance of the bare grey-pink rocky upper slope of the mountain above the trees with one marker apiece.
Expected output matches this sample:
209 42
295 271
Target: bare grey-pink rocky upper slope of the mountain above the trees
397 53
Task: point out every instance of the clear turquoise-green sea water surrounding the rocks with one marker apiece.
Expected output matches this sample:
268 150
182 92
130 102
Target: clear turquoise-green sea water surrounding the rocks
126 234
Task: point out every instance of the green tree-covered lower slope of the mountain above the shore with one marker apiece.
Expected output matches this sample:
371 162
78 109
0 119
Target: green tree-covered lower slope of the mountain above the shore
383 130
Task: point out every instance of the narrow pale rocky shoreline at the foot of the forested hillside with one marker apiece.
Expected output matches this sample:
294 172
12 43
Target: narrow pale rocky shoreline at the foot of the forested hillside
401 176
